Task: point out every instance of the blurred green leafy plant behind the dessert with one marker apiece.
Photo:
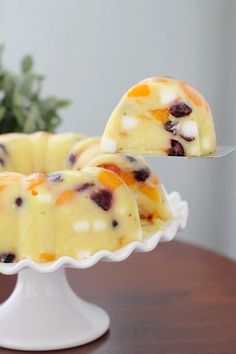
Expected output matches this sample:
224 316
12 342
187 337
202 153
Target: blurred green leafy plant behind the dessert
22 107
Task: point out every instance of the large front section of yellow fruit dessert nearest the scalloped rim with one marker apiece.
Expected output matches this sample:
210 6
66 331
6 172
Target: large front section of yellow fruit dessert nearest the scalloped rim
68 213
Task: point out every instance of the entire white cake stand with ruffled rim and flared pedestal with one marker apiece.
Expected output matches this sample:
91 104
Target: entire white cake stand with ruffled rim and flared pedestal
43 313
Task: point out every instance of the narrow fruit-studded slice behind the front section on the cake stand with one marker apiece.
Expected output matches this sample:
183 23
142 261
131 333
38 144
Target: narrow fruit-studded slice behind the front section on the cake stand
144 185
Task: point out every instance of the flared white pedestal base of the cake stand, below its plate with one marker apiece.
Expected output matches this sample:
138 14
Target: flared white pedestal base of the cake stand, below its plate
43 313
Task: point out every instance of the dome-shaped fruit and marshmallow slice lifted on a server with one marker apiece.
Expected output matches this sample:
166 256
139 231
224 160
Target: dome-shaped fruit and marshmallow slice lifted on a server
161 116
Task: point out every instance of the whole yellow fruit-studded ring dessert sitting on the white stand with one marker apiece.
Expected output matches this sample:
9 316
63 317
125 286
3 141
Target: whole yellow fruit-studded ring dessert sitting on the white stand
109 202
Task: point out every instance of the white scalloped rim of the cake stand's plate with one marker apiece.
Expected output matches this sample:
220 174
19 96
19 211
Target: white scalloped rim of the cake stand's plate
178 222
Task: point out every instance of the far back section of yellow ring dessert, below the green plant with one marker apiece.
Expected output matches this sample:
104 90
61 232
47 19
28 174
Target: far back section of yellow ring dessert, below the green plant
38 152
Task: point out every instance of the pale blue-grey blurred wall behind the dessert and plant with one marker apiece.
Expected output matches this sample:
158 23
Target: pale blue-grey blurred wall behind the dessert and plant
92 51
